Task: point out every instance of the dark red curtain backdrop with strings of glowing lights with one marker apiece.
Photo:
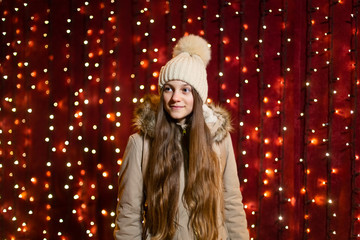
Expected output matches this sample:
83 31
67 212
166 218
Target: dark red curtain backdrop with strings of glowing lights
72 72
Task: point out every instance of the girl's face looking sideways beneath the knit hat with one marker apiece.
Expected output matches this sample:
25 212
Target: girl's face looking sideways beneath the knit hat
178 99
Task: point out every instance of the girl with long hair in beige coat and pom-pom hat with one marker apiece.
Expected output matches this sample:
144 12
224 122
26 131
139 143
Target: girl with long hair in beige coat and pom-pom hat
178 179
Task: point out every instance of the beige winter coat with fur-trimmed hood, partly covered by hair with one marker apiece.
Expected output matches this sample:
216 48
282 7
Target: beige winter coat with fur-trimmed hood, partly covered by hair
130 198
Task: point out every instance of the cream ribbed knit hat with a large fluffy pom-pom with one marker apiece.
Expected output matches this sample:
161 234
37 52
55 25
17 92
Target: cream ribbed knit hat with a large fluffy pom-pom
191 55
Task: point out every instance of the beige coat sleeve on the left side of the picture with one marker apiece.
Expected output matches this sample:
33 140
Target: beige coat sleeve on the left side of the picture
130 194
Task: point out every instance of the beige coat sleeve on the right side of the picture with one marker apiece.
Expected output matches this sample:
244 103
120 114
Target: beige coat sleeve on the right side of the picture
235 217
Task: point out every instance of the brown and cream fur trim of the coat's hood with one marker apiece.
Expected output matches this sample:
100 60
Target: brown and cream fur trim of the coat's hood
216 117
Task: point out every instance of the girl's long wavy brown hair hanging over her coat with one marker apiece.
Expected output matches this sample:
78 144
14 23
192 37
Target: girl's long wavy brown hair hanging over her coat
202 193
